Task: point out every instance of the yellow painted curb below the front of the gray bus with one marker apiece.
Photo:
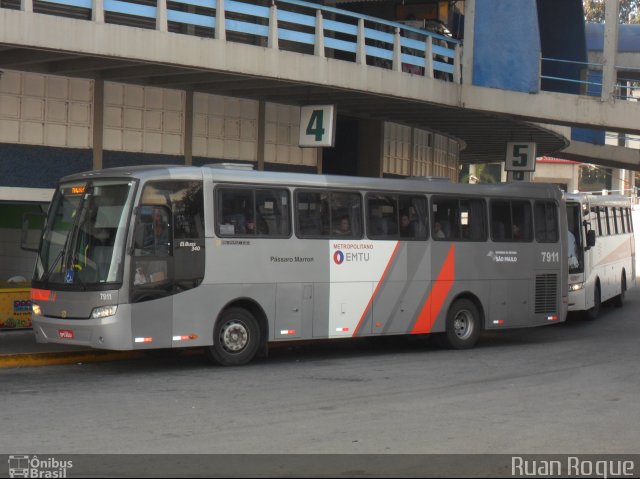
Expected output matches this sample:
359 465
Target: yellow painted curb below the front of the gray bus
27 360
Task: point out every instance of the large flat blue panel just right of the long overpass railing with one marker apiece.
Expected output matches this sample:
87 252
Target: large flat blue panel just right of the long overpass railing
513 26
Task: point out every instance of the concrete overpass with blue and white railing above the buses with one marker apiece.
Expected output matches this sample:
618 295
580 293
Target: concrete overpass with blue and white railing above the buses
300 53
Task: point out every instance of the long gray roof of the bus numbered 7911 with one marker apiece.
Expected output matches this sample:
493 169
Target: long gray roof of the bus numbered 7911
217 174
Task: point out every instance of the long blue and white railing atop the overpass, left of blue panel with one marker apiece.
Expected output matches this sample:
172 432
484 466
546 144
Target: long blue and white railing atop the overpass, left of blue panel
293 25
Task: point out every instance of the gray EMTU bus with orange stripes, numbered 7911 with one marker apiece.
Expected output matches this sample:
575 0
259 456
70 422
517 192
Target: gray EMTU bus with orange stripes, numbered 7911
232 260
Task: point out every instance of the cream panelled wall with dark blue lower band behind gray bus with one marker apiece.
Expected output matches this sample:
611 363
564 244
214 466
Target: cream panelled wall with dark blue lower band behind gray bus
46 129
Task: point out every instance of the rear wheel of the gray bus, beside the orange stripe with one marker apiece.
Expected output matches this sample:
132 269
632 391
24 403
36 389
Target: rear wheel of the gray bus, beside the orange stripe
463 325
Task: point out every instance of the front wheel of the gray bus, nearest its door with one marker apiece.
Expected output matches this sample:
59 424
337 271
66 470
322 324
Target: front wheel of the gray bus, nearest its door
236 338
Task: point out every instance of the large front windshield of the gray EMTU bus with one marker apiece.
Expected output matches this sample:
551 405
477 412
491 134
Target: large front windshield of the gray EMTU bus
83 241
